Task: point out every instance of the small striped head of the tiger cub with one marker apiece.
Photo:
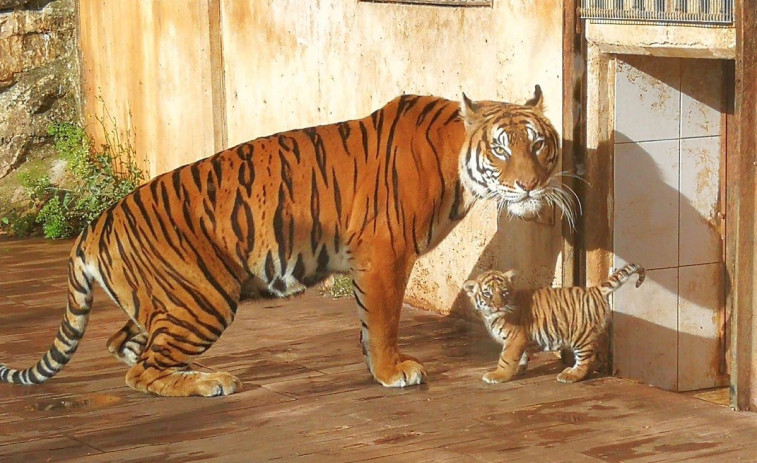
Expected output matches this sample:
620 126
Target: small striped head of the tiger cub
491 292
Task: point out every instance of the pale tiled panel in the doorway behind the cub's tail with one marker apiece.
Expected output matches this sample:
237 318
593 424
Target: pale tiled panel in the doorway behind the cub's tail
669 176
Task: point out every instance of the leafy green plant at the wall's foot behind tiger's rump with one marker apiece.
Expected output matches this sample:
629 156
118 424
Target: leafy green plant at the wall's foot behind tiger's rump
98 178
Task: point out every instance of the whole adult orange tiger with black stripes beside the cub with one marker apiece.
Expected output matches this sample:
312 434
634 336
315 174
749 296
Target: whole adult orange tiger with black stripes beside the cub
280 213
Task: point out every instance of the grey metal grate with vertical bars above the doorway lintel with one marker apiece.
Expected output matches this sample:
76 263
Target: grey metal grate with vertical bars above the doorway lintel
663 11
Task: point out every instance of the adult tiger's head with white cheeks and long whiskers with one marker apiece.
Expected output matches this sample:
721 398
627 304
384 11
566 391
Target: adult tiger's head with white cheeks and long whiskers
510 156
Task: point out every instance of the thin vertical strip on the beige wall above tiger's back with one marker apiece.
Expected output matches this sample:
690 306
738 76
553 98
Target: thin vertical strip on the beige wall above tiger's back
217 75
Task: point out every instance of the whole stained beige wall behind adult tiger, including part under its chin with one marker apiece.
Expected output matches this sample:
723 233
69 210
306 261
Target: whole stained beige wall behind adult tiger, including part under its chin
291 63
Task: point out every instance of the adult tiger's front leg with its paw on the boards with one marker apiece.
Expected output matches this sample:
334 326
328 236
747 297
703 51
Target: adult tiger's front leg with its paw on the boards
379 290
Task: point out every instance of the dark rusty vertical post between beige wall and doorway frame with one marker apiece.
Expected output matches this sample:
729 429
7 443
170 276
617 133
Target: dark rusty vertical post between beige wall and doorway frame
571 132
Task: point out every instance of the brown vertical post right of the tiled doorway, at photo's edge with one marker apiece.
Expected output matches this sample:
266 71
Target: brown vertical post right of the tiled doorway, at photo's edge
744 162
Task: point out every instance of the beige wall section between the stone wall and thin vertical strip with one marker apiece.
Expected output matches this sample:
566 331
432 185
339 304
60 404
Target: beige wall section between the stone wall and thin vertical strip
149 63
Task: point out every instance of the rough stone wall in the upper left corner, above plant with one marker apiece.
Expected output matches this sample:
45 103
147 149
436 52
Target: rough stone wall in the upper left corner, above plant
39 76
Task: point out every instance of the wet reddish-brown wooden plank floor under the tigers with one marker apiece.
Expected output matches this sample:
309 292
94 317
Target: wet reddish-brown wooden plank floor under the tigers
308 396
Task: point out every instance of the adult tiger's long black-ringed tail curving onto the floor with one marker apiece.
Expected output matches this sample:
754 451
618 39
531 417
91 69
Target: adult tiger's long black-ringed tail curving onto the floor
69 334
